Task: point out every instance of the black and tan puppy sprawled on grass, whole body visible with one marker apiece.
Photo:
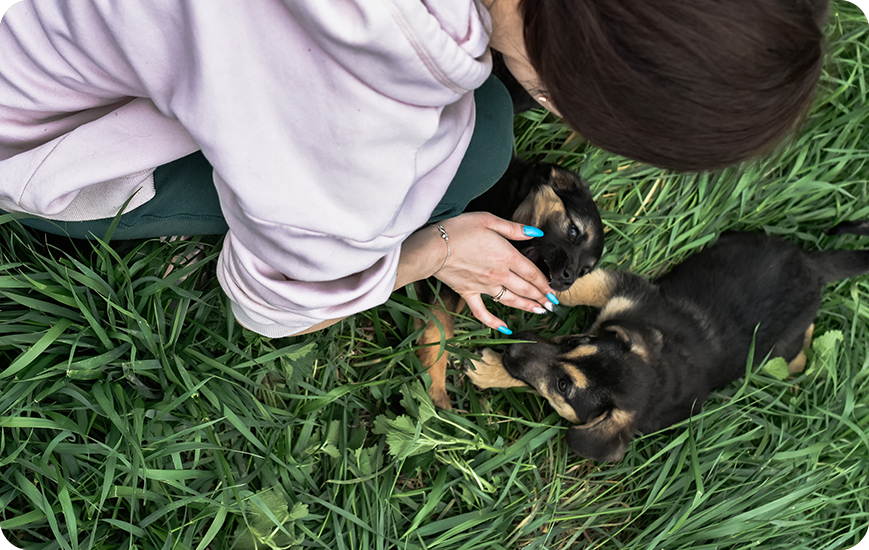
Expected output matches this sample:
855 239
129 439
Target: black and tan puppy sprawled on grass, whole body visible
657 350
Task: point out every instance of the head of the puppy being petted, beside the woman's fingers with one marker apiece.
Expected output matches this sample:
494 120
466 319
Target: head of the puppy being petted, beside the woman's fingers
560 204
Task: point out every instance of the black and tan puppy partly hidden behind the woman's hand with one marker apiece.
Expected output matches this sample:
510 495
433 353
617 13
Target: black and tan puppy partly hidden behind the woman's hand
546 196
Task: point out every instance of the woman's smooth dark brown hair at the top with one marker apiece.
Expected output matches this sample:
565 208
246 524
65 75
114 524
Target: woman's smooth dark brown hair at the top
685 85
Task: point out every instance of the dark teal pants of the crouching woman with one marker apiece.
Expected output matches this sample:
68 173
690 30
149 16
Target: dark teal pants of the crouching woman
186 201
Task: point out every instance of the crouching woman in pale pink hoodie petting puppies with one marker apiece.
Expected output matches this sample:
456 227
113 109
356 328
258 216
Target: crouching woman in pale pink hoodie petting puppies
335 129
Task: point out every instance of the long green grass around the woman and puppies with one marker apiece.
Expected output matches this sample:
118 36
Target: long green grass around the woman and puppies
136 414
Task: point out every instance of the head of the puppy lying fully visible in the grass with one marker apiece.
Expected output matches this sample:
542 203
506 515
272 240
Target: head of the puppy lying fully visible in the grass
600 382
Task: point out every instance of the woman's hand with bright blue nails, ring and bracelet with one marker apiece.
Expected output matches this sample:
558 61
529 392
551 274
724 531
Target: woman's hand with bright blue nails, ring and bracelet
481 261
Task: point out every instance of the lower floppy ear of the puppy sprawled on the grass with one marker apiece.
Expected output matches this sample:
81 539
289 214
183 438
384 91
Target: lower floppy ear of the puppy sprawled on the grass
604 439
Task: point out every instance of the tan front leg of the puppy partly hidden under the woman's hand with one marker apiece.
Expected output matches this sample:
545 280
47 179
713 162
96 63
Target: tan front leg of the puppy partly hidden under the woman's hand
432 355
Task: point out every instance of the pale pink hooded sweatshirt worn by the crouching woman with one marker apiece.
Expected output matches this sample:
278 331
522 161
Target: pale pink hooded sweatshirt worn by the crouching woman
334 128
